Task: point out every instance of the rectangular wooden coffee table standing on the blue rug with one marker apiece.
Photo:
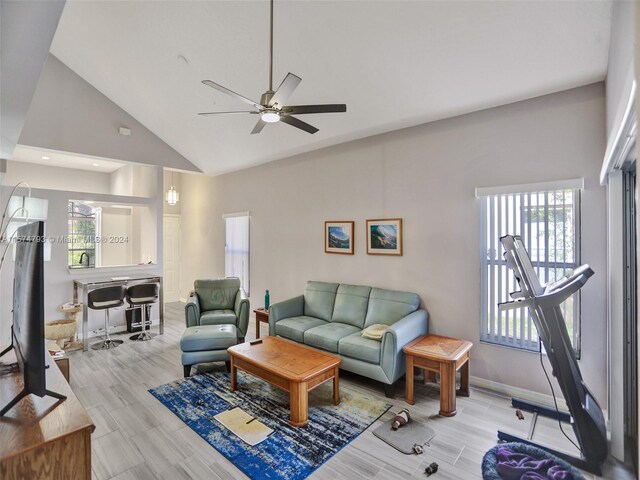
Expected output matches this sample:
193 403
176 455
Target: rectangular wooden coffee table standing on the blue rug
294 368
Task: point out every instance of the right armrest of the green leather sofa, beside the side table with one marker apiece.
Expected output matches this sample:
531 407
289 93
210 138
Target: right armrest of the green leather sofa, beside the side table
396 337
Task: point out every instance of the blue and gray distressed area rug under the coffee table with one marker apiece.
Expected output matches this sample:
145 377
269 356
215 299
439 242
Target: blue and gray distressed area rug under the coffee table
290 453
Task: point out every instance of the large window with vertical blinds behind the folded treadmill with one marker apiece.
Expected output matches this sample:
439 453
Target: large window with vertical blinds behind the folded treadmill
548 223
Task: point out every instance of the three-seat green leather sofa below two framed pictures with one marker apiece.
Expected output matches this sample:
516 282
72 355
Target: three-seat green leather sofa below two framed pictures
331 317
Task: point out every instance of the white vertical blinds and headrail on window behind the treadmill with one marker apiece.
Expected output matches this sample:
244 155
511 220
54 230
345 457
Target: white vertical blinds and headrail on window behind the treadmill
510 205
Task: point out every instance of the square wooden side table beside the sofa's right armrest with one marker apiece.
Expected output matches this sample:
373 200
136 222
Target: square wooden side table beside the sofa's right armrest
443 355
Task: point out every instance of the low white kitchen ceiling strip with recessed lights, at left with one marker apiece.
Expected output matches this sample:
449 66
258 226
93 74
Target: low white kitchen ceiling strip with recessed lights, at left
54 158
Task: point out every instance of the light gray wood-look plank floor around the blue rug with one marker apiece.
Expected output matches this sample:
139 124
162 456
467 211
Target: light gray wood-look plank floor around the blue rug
136 437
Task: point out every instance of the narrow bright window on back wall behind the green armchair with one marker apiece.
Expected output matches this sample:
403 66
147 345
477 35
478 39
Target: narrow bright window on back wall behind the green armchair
236 248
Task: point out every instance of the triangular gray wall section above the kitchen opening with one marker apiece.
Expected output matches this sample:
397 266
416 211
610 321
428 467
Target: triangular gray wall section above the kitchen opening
70 115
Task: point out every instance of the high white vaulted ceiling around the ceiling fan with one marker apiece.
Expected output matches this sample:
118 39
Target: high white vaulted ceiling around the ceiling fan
394 63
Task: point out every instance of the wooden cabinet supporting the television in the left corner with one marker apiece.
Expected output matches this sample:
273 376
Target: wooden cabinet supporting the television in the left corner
42 438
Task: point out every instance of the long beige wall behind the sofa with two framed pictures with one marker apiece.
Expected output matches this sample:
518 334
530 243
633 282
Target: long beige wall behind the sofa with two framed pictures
426 175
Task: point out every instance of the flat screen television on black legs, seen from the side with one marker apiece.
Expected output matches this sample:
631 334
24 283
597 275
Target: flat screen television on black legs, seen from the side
27 329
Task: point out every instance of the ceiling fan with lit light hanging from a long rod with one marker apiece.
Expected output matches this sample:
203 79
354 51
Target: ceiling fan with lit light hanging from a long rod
271 107
